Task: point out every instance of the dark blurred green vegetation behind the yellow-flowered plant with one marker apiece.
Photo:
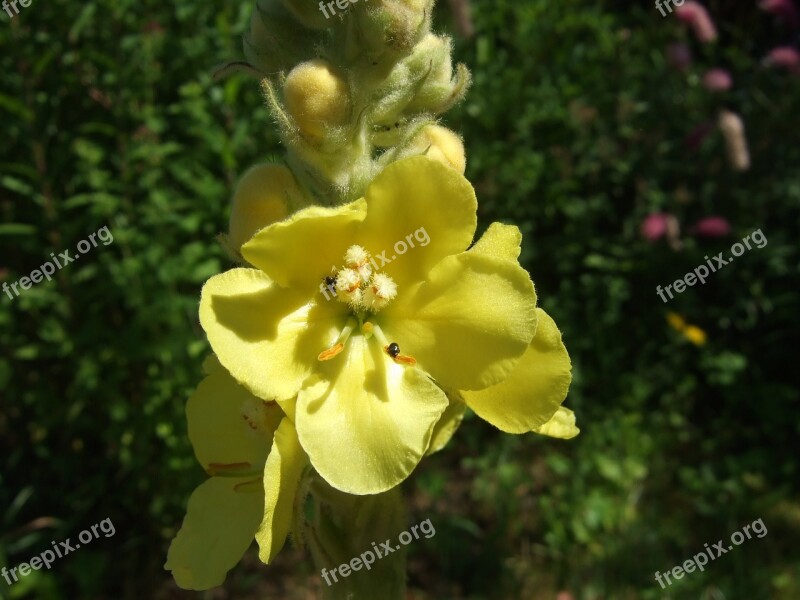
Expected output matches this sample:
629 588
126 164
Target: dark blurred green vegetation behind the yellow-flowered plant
575 130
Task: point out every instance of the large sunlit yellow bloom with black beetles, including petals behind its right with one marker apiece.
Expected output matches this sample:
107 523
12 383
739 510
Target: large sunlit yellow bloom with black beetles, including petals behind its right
416 316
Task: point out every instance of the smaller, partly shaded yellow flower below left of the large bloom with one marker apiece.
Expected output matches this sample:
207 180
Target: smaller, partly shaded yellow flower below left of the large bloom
248 447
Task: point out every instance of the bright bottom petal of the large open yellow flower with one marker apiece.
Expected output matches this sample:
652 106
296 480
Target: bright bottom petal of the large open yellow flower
367 421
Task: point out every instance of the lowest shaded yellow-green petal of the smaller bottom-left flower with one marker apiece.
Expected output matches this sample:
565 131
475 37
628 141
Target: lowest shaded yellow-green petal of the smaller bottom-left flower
219 527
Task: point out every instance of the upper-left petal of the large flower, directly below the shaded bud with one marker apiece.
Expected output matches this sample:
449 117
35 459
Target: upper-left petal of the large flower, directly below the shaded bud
300 251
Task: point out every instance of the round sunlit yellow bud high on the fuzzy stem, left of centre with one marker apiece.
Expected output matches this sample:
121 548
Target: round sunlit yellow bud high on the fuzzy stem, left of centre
316 97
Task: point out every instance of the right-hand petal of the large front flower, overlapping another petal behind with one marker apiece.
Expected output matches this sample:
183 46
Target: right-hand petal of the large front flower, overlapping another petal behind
469 324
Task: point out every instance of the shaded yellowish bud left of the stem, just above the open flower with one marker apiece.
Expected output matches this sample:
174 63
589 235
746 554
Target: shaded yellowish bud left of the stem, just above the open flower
263 196
